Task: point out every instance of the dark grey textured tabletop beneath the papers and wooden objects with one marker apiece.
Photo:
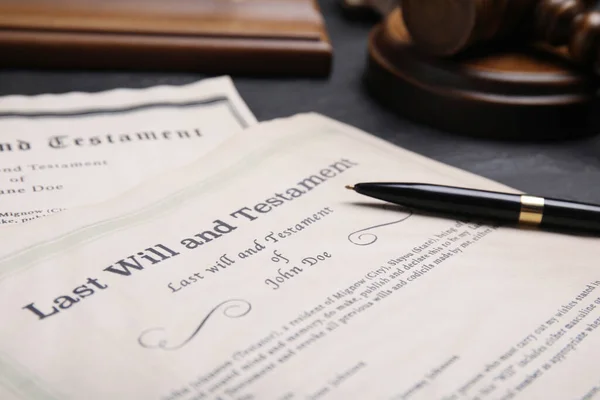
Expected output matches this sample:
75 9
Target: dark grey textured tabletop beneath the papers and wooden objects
564 169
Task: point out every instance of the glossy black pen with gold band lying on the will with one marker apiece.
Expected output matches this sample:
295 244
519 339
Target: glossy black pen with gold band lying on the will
482 204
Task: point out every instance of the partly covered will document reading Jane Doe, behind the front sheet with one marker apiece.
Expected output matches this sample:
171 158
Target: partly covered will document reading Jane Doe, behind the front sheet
69 150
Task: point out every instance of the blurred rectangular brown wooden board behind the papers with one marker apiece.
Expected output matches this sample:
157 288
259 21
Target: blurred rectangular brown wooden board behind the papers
212 36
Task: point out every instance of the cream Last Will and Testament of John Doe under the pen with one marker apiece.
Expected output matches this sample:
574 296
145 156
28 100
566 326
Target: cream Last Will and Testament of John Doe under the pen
258 276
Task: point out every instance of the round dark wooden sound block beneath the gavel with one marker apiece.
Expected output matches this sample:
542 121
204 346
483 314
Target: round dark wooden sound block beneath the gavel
501 92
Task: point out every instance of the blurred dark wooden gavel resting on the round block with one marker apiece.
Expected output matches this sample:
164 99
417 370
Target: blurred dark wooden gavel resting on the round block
447 27
